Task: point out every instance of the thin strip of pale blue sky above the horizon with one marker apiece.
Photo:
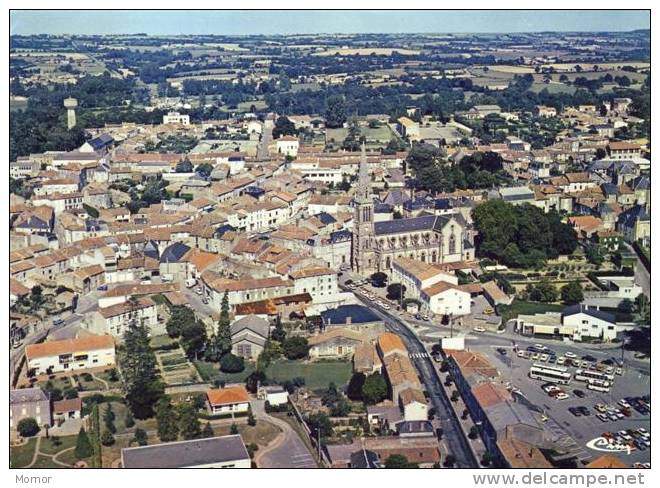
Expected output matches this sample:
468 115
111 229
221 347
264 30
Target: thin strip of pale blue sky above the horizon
311 22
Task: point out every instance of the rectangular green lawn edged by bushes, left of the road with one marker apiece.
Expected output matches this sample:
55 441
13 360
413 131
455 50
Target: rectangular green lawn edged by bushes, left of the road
317 375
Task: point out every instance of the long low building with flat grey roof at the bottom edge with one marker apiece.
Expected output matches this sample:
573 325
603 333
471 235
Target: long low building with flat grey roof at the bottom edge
214 452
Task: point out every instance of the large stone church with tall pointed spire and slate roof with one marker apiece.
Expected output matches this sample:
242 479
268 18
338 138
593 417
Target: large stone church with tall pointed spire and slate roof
434 239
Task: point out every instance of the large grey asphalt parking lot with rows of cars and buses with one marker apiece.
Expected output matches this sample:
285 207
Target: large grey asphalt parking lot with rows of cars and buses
577 433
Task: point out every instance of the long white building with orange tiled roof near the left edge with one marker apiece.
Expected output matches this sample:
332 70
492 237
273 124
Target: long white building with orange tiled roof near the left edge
70 355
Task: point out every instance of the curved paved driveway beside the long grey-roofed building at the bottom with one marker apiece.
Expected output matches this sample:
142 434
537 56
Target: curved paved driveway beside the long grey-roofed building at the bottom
287 450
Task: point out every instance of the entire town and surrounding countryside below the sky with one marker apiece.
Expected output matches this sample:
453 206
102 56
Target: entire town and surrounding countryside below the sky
324 251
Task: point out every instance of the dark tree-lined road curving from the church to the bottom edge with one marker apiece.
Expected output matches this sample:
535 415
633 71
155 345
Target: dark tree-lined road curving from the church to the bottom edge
453 435
